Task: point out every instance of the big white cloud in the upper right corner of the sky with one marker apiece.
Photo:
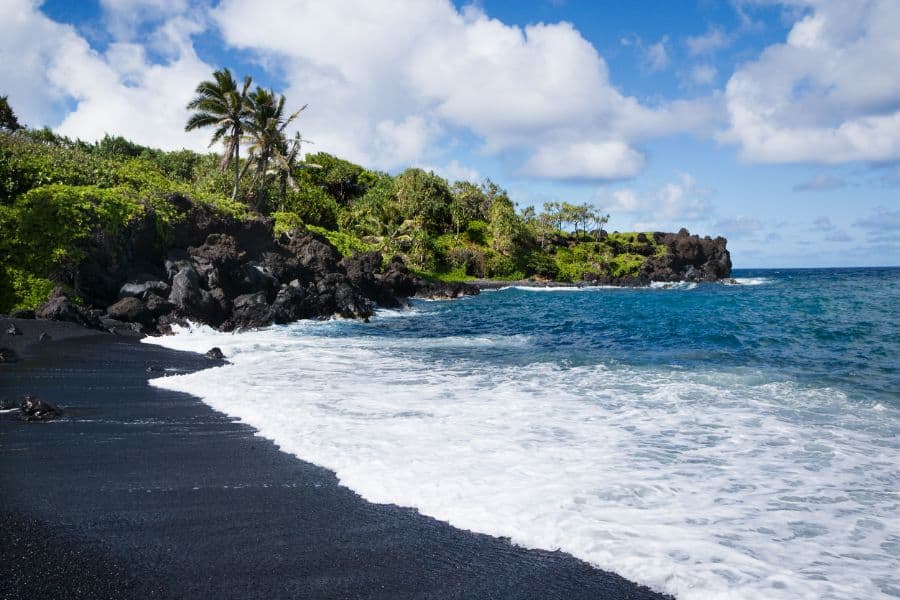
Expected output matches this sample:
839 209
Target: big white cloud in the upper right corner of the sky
822 96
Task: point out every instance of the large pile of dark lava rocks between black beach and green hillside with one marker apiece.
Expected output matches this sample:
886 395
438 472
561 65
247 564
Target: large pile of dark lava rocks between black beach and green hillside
230 274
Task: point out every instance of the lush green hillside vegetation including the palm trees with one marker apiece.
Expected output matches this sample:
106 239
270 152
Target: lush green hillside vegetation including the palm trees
56 195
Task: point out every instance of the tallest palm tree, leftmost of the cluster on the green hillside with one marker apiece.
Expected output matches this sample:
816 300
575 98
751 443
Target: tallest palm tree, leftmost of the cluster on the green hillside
220 104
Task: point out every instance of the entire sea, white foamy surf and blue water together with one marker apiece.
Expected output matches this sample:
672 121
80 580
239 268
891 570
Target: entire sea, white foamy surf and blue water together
711 440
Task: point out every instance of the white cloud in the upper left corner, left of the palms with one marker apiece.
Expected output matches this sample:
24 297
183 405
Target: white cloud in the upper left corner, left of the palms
119 91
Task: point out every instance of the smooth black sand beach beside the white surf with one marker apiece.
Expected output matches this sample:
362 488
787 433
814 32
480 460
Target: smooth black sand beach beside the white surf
140 492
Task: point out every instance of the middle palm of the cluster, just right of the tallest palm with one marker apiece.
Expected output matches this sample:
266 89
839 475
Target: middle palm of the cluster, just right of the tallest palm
265 134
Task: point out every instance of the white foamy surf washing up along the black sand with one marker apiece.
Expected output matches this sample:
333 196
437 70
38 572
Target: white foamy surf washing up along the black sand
706 485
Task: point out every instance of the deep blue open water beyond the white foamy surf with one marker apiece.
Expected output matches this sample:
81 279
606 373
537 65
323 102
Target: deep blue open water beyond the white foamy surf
835 327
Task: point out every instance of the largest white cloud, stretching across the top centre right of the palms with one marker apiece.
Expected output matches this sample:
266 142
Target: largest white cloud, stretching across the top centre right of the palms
514 88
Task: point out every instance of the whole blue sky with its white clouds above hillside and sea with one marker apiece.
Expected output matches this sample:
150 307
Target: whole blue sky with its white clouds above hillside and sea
776 124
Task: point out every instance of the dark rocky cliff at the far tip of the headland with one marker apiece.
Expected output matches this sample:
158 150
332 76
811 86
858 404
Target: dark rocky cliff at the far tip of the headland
689 258
